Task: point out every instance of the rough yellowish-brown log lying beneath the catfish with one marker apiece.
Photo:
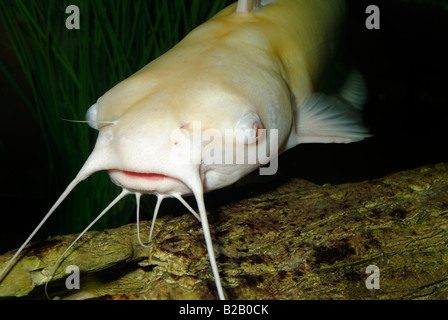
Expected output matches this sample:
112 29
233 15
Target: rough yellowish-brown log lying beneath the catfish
297 241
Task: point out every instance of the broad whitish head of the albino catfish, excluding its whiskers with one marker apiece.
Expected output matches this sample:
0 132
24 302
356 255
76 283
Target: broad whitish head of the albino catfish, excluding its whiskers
162 141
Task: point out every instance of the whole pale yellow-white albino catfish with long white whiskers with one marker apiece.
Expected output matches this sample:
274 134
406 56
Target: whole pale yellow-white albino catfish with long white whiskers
251 74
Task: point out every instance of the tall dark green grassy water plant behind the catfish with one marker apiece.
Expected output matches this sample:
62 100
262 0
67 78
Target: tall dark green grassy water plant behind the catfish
68 69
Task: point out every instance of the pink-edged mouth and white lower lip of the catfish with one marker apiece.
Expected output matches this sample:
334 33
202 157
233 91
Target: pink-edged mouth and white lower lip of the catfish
148 182
